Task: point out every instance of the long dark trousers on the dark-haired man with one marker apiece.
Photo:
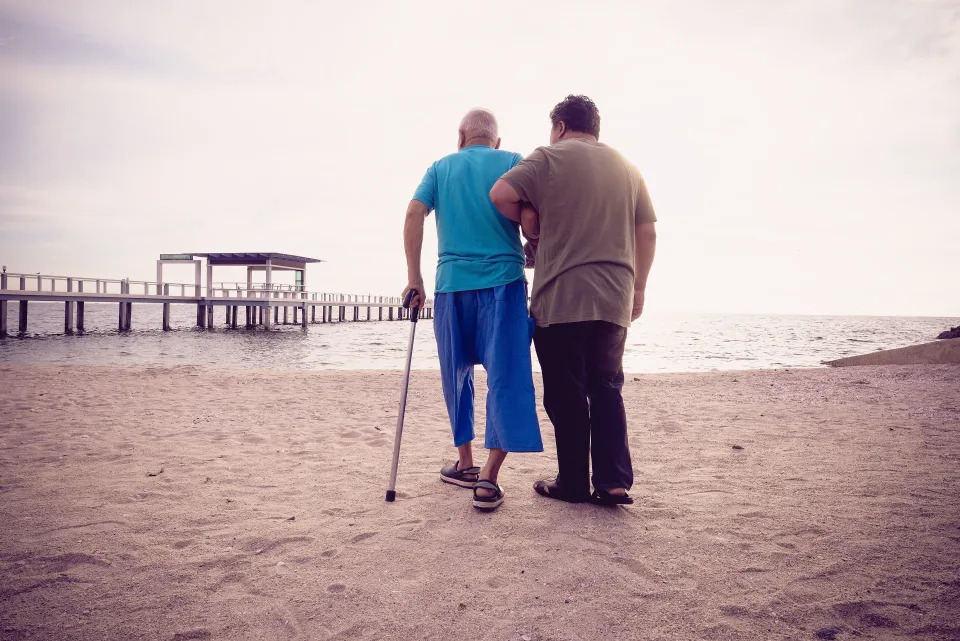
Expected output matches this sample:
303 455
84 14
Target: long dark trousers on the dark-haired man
582 381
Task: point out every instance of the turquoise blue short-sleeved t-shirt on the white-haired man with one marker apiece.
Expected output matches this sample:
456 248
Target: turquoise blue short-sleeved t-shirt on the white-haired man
479 248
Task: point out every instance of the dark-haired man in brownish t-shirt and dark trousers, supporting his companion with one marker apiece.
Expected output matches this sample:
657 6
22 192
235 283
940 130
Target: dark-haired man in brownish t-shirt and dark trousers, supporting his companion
597 241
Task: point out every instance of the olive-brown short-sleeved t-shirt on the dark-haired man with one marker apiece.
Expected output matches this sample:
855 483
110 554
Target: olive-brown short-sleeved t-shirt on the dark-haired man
590 200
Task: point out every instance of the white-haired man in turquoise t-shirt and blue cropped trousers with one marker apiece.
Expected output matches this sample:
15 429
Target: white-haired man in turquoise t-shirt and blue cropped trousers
480 306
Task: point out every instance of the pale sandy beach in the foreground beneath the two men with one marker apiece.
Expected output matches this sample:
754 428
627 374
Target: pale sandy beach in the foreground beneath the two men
193 504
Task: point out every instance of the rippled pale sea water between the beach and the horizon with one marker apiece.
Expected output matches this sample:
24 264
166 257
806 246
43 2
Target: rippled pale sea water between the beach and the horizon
659 342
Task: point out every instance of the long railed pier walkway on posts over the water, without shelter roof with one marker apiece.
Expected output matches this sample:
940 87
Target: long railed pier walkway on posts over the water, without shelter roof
263 304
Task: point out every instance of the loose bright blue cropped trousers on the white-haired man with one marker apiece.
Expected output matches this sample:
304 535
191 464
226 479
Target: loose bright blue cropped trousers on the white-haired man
489 327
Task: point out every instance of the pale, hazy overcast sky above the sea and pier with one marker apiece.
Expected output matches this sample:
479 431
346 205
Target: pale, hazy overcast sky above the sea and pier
803 156
